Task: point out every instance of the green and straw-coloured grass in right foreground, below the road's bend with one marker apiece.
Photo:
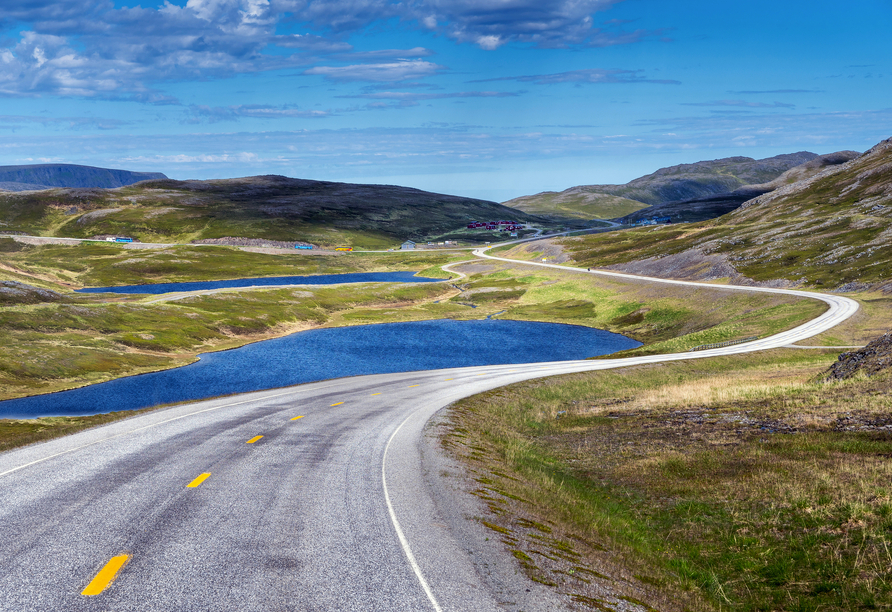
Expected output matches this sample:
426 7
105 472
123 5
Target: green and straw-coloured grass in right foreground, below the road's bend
737 483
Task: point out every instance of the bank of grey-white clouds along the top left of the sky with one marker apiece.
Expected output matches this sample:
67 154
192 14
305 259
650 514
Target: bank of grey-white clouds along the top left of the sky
95 49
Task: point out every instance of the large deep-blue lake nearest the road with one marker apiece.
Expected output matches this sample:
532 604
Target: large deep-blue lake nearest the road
331 353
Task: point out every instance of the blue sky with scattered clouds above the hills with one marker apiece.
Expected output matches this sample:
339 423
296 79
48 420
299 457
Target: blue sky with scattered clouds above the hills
492 99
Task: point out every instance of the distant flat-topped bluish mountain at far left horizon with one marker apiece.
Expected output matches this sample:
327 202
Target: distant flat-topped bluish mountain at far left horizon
48 176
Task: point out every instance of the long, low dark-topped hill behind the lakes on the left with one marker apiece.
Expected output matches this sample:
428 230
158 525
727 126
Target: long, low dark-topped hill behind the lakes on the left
266 207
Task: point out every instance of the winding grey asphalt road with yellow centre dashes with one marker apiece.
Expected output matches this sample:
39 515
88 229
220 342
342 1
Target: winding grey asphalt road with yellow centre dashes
325 496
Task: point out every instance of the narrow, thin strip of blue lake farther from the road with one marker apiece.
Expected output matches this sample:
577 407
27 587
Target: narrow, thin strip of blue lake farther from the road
318 279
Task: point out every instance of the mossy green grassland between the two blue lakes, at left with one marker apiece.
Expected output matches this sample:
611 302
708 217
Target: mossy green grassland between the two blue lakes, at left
65 345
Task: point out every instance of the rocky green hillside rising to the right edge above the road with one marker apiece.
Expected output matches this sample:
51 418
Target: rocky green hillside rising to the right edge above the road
832 230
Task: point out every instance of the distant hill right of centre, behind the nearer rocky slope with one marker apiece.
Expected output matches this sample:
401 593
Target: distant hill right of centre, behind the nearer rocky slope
705 179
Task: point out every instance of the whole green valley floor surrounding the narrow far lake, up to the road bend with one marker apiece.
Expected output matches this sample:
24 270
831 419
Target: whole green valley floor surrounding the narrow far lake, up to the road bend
65 340
